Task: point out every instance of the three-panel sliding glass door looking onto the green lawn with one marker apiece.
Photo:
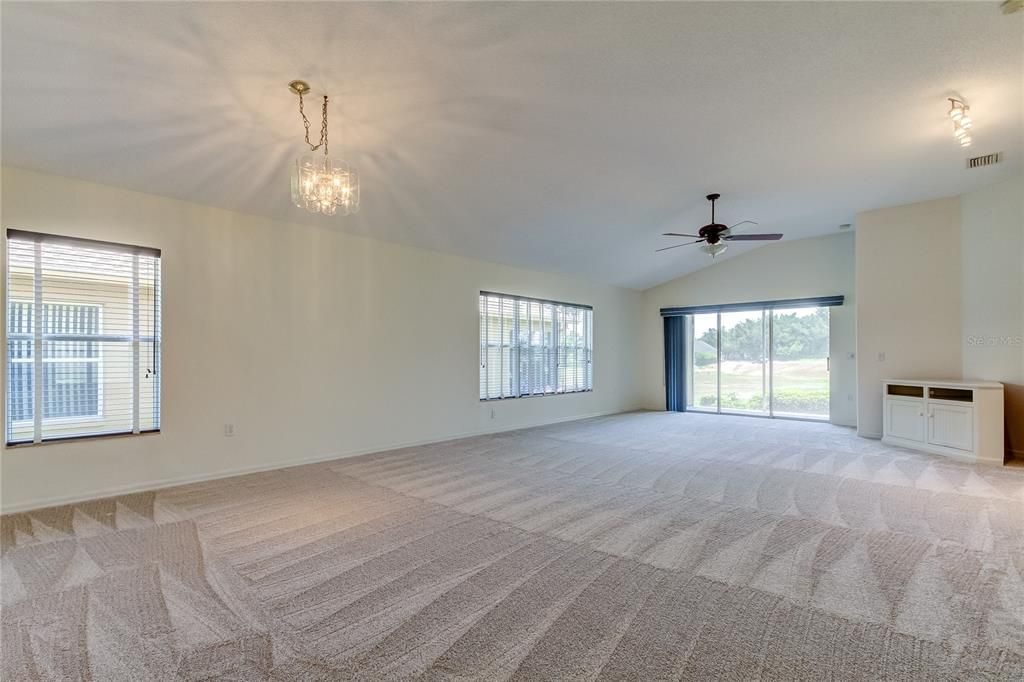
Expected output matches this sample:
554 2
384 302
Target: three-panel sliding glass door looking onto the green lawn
762 362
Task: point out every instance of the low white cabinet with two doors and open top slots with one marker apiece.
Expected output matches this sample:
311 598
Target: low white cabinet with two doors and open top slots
959 419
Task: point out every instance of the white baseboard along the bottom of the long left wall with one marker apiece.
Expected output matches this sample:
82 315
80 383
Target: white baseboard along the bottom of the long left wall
41 503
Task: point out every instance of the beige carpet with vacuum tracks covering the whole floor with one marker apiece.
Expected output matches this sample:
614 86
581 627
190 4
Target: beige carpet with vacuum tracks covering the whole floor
648 547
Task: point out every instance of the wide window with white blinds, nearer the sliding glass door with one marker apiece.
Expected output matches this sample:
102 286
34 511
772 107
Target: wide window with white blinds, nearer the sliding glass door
531 347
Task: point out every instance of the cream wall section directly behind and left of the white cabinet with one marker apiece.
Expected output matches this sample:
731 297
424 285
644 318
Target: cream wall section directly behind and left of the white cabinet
909 300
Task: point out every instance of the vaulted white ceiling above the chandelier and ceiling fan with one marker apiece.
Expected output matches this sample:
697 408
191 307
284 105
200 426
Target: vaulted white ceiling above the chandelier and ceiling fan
562 138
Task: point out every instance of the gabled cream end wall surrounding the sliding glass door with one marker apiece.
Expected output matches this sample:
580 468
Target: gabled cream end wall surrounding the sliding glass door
820 267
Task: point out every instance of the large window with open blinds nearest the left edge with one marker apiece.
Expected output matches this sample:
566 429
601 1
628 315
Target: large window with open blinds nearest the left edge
83 338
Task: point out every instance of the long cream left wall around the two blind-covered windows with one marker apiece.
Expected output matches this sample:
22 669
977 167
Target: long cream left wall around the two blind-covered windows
313 343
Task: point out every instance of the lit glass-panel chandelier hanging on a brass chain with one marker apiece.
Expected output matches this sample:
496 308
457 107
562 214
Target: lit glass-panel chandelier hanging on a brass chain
320 184
